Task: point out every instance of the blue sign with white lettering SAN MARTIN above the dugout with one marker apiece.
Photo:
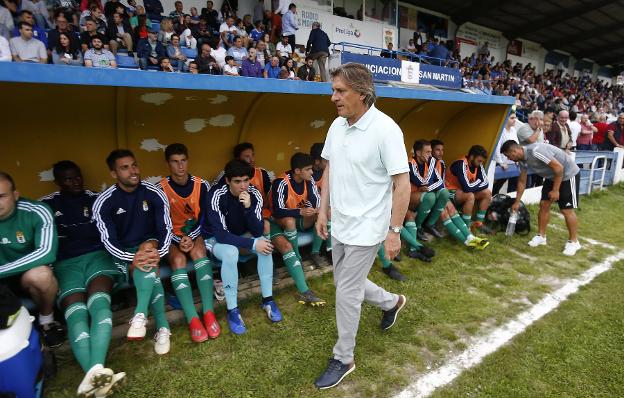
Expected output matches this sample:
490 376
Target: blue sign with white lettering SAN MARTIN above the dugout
387 69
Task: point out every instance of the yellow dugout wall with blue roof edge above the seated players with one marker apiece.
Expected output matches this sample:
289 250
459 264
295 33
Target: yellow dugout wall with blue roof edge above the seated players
51 113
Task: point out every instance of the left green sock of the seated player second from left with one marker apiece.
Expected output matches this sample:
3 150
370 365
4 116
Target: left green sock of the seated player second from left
77 317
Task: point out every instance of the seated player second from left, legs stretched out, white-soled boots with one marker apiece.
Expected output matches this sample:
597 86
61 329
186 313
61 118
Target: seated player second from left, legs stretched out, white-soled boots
86 274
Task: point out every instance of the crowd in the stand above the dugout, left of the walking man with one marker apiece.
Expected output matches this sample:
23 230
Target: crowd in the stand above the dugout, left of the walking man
93 34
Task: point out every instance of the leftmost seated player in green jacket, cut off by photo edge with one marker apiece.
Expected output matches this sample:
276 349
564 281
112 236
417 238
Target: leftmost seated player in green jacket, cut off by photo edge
28 247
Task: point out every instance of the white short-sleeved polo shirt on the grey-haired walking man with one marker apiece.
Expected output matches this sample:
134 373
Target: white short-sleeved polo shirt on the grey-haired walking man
363 157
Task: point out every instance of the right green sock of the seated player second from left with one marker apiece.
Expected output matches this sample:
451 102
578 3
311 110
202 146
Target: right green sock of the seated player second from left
101 326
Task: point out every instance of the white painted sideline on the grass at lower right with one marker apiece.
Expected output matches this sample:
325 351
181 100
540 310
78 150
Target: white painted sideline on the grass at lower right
483 346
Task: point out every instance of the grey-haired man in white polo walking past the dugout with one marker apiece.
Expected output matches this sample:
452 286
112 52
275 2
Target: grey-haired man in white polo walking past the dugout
366 180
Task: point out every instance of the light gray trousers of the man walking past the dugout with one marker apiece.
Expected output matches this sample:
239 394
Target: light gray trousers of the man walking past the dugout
351 267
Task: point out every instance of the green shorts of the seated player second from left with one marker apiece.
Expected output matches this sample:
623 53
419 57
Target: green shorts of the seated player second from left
74 274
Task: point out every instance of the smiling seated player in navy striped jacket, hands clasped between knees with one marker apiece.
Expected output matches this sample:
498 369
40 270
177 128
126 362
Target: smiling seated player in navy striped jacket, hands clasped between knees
134 223
